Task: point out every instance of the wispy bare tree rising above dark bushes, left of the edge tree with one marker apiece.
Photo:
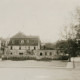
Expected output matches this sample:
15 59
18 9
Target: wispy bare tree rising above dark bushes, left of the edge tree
68 34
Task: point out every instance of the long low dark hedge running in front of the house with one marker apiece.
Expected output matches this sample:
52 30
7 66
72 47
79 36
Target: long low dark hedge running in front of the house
33 58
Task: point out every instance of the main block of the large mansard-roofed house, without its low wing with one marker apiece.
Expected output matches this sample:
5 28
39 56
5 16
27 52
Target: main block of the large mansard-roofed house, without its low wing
21 44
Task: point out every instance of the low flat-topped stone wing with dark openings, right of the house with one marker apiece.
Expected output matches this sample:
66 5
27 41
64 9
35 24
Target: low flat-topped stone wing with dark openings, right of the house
52 54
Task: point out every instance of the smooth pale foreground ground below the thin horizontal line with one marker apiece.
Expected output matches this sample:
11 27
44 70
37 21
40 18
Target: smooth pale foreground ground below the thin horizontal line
35 74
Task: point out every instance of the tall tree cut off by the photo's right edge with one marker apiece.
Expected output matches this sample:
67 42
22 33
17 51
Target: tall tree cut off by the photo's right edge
77 26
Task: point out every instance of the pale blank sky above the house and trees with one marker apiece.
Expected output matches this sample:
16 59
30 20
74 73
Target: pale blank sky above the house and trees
43 18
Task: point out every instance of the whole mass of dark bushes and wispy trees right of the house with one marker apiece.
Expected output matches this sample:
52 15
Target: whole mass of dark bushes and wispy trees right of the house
70 42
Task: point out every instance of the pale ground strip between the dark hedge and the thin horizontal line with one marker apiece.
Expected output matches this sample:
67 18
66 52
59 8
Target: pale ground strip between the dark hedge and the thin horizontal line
33 63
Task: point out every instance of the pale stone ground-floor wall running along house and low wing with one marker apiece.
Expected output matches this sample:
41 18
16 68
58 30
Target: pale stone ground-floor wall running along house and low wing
38 54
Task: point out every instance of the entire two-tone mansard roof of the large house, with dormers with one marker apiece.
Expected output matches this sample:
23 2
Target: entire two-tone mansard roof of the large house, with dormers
27 40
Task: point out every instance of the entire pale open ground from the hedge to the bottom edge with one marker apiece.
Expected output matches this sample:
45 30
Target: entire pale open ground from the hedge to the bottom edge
39 70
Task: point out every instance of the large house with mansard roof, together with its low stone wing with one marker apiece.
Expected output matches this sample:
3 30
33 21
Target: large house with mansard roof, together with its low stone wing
28 47
